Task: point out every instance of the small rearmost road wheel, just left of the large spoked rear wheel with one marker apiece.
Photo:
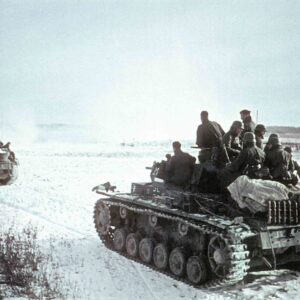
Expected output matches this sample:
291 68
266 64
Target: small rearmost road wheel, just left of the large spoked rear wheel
196 270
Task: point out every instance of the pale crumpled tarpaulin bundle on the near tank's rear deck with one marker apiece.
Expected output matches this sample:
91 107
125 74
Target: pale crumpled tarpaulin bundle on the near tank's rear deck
254 193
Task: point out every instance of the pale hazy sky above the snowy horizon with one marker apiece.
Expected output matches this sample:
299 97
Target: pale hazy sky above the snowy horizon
147 68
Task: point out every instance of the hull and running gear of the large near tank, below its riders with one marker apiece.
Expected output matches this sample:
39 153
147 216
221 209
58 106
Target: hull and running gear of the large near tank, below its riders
202 239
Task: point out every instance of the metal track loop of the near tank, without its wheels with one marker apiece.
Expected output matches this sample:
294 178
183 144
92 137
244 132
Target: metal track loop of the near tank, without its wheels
233 236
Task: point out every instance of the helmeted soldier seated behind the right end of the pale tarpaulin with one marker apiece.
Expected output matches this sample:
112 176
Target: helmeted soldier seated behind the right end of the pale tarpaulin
278 160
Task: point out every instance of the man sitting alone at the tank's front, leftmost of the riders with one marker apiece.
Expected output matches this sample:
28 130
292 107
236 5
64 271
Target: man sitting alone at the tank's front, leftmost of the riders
180 168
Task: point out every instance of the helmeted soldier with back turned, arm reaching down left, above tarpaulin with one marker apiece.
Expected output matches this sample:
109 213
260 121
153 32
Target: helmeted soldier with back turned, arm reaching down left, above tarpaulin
249 162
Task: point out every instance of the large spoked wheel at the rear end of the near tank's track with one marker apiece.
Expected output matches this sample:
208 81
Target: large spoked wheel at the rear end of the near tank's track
218 256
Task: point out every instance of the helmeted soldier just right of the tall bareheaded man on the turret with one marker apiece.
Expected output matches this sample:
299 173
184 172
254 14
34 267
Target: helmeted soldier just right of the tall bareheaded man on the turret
231 142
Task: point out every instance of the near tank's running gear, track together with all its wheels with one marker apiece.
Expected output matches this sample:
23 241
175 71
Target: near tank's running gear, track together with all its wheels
224 262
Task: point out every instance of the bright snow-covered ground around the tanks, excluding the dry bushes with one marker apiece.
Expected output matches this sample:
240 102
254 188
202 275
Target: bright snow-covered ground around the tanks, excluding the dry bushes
53 192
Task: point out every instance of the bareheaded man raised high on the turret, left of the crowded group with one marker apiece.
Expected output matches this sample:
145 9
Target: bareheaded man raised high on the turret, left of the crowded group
209 138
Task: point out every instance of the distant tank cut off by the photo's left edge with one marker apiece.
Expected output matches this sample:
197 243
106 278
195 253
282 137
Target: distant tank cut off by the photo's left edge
8 167
